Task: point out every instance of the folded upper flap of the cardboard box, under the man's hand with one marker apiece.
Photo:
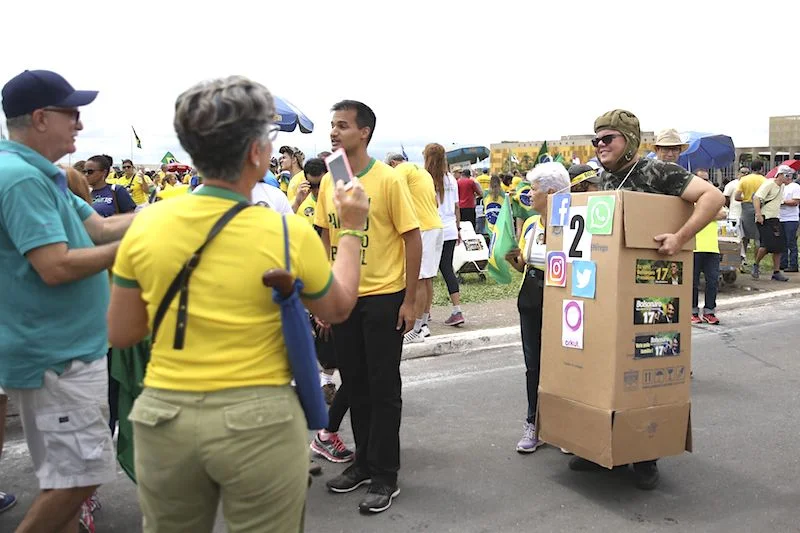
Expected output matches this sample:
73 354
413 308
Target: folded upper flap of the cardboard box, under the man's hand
646 215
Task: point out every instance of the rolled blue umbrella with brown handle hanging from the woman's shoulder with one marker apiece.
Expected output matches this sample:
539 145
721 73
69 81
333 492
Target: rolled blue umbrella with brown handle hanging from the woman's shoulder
298 340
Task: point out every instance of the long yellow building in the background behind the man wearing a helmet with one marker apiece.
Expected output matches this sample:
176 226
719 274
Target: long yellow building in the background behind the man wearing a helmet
569 146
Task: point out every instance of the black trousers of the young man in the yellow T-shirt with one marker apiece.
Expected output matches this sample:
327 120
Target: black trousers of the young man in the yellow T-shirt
368 349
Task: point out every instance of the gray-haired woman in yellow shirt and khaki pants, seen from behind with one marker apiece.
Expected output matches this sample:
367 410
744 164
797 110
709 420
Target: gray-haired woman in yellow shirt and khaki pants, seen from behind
217 418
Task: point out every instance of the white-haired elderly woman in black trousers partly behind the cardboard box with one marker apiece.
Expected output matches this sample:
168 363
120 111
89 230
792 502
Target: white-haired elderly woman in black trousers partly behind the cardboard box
529 258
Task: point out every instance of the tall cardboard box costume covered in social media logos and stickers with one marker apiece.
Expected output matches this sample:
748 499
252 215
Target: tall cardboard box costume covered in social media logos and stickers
616 334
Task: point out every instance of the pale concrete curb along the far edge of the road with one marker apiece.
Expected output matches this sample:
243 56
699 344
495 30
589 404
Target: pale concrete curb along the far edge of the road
496 337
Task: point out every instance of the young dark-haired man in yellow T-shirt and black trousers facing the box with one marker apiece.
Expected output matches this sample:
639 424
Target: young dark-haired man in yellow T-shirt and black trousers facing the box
370 342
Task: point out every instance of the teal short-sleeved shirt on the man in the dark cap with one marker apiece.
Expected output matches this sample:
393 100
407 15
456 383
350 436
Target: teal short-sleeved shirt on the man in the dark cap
43 327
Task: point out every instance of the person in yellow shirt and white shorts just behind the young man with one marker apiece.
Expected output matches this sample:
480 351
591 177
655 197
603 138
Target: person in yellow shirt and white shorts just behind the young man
423 196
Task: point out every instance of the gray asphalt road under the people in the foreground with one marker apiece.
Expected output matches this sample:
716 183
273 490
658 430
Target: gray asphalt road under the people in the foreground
462 417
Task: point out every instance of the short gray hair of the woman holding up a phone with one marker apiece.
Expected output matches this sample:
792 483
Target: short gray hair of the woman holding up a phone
217 122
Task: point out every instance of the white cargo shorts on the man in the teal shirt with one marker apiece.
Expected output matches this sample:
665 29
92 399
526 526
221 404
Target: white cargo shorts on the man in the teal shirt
66 427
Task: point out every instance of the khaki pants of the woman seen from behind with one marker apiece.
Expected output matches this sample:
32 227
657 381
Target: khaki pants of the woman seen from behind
247 447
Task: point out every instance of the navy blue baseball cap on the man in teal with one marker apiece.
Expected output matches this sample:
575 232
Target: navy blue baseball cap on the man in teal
37 89
